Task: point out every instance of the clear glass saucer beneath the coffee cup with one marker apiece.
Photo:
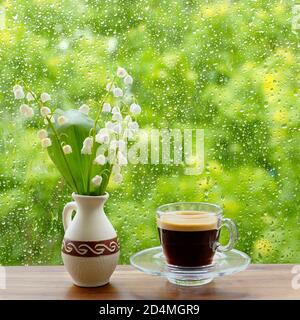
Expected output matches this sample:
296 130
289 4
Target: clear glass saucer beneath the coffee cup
152 261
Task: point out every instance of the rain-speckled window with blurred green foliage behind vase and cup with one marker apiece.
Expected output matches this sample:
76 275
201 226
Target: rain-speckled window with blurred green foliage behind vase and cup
228 67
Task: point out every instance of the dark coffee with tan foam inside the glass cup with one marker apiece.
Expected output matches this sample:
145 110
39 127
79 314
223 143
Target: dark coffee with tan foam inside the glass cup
188 238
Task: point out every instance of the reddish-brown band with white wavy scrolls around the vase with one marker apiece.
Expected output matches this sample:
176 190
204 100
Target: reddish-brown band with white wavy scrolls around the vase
90 248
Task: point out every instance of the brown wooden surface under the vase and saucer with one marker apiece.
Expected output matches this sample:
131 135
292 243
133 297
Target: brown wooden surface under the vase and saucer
53 282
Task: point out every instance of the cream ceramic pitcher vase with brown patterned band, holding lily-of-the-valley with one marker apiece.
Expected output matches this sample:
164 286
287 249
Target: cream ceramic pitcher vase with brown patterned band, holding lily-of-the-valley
90 249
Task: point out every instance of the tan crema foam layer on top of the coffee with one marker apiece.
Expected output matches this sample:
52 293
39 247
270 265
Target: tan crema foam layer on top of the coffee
187 221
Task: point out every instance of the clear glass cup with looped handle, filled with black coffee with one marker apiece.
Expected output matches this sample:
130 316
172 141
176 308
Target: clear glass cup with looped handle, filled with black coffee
189 233
